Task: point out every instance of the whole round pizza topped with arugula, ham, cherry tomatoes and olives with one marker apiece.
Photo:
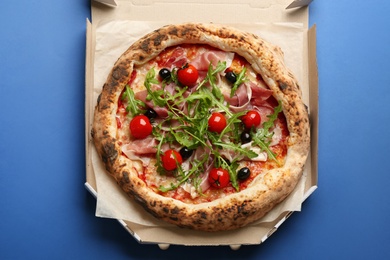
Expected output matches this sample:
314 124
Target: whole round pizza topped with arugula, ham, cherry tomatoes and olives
203 125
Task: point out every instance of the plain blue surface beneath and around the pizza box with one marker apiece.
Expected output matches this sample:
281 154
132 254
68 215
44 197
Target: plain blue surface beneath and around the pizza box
46 213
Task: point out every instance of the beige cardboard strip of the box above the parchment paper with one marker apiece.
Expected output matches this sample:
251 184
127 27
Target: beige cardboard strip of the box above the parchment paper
176 11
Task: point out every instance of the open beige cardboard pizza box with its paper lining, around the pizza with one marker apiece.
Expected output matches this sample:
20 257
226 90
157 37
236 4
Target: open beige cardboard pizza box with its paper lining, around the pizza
117 23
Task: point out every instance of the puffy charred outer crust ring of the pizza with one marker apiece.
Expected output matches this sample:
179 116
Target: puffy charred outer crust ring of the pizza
235 210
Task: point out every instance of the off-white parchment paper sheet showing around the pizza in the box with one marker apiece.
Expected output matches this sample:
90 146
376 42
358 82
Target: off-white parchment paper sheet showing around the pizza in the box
112 39
